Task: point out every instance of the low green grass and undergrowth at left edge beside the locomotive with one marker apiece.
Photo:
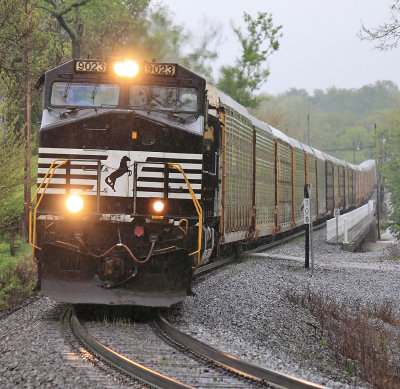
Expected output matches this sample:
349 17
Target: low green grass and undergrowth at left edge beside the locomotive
18 274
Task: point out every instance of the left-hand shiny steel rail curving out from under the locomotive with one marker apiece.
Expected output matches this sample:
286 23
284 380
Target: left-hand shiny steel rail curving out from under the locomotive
120 362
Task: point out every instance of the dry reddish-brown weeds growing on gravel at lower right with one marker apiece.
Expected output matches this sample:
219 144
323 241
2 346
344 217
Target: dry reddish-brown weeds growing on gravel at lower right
365 339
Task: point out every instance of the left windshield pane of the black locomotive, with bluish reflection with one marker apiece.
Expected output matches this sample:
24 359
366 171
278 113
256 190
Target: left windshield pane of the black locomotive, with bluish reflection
84 94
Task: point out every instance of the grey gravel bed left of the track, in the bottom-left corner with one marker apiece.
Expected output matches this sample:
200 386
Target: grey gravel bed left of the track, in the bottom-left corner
34 352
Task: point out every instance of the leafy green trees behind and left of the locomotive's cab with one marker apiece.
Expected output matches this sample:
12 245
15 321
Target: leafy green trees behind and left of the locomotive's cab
59 29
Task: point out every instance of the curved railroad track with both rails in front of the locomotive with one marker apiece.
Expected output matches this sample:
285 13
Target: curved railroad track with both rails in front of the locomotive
159 355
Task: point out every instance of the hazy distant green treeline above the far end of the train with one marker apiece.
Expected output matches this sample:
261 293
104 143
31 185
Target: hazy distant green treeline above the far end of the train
340 121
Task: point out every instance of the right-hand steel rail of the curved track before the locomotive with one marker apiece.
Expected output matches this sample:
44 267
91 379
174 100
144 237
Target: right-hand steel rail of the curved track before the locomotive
227 361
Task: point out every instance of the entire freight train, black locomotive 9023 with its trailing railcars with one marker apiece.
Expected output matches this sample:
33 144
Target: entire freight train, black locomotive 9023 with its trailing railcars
146 172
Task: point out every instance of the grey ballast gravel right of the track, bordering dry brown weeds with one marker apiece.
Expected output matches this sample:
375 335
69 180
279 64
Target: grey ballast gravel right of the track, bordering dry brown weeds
243 311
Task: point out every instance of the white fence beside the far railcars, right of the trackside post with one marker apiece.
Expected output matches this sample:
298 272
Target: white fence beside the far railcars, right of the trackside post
351 225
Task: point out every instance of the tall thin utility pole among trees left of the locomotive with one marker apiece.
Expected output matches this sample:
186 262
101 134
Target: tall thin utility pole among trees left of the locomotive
28 121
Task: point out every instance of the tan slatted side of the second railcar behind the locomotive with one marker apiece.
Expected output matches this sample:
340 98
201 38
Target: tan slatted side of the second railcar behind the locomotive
265 179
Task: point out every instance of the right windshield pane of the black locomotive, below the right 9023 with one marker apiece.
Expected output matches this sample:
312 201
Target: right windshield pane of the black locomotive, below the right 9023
164 98
